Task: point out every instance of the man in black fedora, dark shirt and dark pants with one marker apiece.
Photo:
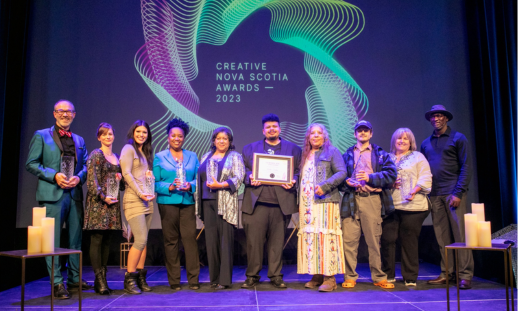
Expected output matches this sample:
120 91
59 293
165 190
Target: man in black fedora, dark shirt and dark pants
448 154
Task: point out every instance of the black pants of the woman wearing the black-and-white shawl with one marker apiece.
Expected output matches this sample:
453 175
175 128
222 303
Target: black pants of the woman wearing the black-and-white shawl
219 236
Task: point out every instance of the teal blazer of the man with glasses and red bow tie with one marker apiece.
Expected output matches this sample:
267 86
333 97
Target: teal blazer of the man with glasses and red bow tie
44 161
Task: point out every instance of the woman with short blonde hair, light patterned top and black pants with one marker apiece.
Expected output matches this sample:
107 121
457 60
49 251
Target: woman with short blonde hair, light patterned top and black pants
413 183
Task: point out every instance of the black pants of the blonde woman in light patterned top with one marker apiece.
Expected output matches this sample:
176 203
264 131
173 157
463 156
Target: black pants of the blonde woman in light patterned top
407 226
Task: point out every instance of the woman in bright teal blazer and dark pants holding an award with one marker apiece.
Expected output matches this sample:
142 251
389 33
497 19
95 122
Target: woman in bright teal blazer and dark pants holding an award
176 204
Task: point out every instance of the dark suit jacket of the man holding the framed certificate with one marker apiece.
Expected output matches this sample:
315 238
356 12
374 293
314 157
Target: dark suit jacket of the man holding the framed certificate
287 198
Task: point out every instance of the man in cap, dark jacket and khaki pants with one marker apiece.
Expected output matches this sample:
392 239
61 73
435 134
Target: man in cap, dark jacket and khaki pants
367 198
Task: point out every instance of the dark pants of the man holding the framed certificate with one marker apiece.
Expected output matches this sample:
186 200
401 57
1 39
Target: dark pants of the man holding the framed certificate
266 224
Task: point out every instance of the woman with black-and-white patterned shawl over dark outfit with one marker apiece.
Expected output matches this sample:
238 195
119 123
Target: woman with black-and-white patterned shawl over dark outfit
220 174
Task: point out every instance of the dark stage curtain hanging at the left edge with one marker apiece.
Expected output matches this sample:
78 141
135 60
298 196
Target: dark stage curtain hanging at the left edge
13 32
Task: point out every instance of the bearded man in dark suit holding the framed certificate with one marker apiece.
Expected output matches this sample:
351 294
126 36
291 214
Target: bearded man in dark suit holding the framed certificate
267 209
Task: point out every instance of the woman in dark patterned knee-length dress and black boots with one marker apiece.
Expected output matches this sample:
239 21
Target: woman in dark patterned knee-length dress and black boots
102 212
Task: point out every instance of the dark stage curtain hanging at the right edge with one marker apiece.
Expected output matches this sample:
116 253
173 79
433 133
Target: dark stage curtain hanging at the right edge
491 26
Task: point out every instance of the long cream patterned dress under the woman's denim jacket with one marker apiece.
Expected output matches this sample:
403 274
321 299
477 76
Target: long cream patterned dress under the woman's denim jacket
320 249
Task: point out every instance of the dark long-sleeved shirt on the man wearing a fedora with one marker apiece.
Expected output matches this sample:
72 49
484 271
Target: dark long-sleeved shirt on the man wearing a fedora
450 163
